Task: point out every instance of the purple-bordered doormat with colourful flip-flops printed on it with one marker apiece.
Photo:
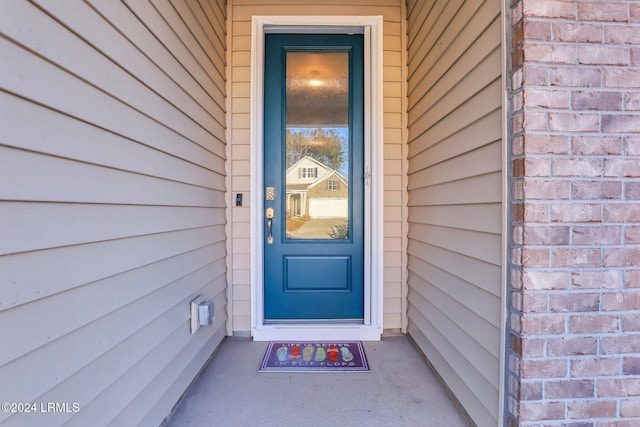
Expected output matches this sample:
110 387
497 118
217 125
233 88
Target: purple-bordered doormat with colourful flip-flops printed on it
311 356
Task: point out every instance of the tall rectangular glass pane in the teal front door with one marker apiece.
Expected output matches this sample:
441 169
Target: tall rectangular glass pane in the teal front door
317 145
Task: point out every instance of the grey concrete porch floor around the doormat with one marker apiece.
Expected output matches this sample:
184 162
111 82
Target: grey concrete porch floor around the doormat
400 390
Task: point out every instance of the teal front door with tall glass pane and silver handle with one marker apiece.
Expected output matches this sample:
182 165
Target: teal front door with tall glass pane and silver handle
314 178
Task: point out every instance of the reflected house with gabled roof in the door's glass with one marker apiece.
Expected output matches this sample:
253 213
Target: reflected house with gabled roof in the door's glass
315 190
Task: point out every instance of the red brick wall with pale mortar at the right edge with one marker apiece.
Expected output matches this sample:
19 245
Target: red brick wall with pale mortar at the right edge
574 344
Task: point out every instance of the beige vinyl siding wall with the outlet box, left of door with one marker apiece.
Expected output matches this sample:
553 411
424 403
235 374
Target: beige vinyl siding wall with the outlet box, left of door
112 199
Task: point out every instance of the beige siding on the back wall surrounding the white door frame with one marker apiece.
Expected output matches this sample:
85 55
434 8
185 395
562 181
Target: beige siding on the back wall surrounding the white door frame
242 12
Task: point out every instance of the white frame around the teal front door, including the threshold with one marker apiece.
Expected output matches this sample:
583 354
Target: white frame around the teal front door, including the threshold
372 327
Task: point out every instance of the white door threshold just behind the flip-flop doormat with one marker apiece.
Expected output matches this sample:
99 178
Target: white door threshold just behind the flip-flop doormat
316 332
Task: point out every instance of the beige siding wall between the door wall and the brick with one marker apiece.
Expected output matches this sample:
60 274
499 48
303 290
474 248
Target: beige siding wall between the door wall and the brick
454 195
